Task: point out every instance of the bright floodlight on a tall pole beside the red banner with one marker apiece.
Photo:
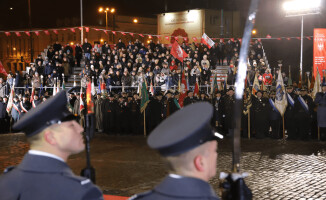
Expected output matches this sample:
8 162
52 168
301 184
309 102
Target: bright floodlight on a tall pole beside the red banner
295 8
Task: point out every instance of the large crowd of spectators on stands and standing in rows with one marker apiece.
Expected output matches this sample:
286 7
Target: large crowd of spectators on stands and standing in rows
128 65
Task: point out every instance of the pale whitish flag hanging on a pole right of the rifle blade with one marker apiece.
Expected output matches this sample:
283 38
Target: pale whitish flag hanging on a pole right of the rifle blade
280 98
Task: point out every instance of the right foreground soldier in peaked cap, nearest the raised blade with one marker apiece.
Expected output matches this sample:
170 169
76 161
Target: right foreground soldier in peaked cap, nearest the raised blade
188 144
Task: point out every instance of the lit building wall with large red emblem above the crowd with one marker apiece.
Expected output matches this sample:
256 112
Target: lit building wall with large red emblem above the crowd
194 23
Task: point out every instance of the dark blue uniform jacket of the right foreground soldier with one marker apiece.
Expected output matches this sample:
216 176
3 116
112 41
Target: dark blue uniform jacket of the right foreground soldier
178 189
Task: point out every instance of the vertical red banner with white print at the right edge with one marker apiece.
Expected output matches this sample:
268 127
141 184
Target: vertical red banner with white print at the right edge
319 50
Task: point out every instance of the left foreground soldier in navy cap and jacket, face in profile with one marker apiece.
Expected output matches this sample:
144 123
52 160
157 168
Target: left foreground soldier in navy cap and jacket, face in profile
43 173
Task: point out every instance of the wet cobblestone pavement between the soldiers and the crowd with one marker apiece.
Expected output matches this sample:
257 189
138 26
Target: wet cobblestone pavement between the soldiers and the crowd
125 165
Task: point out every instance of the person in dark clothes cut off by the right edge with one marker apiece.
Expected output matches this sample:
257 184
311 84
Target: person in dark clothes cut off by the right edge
320 100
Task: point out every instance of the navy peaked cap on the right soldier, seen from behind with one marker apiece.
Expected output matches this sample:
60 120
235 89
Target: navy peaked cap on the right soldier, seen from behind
184 130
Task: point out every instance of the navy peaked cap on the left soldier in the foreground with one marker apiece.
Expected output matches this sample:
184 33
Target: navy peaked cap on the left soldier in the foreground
52 111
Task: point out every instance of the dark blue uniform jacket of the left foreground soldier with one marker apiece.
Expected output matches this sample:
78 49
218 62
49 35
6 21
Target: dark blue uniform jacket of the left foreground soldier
41 177
